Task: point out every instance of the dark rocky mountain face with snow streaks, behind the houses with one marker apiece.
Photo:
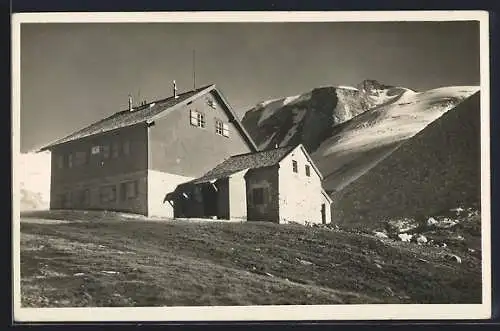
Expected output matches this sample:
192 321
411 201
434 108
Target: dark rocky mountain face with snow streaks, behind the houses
290 120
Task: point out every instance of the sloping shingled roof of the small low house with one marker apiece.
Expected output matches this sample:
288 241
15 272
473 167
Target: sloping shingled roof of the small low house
241 162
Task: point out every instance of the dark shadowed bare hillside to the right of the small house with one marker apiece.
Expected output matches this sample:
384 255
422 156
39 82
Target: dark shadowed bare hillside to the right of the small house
435 171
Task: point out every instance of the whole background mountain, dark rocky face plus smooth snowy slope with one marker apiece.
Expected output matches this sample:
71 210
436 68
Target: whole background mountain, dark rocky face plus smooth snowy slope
349 130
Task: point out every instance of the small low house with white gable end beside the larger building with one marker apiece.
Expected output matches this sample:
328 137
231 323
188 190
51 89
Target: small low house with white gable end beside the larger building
280 185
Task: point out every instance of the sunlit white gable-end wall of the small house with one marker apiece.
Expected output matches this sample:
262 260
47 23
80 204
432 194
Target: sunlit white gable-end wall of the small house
300 196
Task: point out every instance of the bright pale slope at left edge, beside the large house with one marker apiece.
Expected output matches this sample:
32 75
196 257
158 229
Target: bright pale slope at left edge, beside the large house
34 179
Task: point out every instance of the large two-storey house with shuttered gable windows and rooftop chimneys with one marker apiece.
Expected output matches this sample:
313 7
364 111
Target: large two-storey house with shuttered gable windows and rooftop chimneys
129 161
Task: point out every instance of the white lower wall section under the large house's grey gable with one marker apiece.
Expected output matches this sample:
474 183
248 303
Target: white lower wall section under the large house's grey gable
159 185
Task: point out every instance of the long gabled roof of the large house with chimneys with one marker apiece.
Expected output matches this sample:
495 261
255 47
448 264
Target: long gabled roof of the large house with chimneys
150 112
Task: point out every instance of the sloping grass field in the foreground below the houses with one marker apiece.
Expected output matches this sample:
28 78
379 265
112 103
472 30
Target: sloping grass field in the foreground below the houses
96 259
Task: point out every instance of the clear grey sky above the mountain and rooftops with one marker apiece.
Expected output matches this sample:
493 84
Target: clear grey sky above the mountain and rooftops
76 74
